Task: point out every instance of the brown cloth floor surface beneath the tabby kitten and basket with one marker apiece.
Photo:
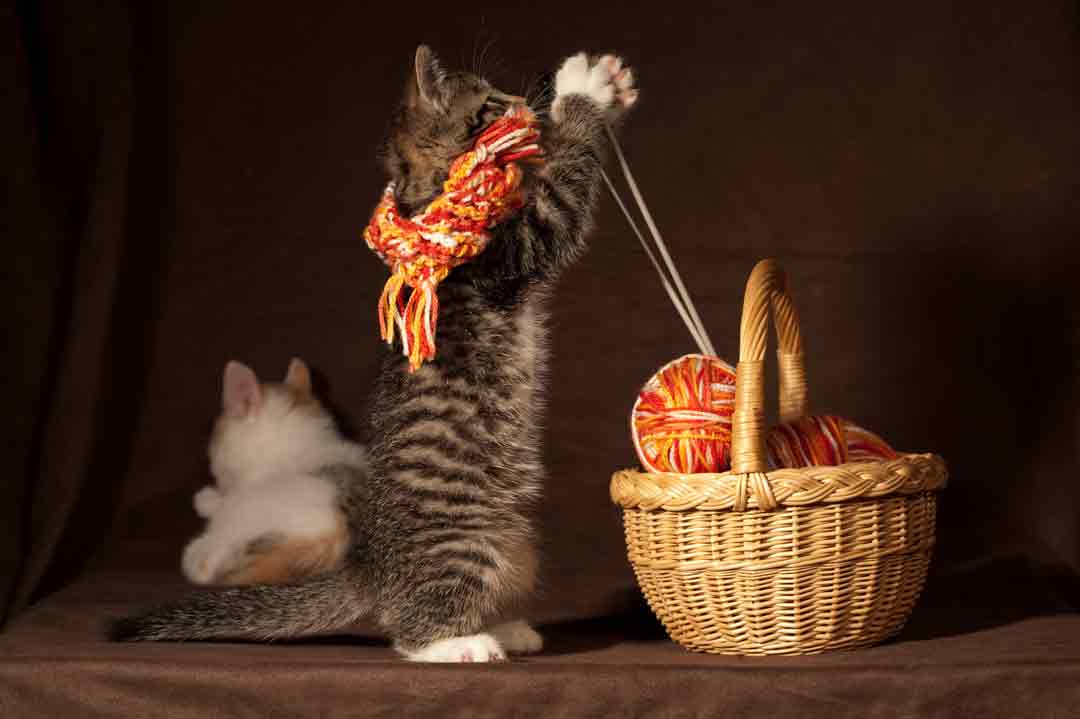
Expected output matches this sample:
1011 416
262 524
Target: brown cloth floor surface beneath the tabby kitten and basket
1009 649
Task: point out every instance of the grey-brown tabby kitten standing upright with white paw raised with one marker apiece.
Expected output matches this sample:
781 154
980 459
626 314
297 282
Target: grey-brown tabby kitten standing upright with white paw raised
441 541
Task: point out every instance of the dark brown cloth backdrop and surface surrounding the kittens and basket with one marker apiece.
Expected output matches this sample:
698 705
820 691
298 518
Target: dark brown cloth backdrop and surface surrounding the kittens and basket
186 183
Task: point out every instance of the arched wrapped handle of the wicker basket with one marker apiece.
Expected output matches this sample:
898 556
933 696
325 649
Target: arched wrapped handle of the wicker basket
766 291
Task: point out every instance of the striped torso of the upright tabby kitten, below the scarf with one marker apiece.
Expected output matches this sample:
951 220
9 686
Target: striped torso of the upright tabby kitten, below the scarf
457 466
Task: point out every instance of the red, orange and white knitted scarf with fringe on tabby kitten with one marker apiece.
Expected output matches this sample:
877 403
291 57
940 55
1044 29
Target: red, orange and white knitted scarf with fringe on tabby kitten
482 192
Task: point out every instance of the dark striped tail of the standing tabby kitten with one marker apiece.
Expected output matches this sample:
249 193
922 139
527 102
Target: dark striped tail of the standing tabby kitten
263 613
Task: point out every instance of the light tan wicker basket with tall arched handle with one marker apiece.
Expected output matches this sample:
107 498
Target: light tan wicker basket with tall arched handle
790 562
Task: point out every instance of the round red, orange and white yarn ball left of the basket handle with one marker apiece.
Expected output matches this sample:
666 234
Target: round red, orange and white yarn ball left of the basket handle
682 419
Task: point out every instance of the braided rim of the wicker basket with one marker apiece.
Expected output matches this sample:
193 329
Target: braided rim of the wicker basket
907 474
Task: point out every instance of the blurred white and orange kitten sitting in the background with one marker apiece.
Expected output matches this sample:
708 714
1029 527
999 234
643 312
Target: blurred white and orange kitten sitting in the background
274 515
